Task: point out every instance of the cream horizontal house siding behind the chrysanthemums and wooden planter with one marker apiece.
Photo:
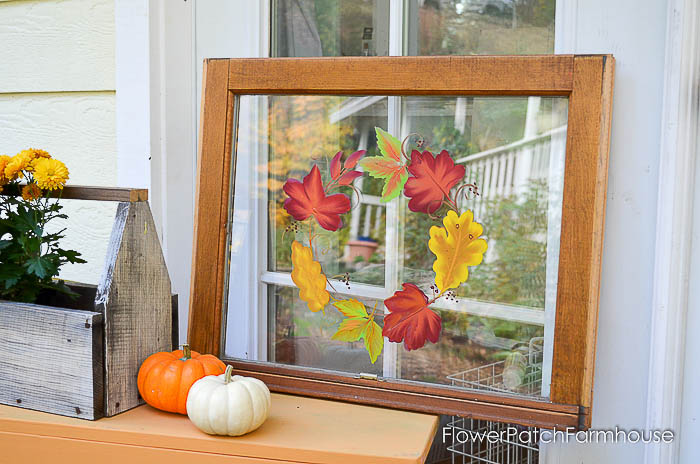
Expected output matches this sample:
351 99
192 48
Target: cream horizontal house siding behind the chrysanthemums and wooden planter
57 92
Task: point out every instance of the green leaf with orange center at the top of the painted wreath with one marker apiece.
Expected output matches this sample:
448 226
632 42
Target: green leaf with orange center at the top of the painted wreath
388 167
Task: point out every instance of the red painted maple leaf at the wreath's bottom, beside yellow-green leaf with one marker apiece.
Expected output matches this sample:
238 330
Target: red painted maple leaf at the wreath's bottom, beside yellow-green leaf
411 321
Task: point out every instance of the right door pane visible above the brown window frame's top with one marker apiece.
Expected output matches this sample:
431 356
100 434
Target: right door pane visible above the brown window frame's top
479 27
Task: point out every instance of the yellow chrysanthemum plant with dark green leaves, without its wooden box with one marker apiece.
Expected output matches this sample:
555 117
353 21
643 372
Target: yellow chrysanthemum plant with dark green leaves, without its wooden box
30 252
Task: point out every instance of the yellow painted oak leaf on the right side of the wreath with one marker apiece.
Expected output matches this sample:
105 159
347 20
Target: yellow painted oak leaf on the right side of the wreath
456 246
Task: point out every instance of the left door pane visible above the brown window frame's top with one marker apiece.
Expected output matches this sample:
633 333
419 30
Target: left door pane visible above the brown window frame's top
330 28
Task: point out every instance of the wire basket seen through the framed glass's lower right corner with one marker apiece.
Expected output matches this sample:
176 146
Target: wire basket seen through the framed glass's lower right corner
520 374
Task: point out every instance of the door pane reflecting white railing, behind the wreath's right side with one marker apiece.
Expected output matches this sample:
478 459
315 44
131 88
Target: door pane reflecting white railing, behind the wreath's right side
512 149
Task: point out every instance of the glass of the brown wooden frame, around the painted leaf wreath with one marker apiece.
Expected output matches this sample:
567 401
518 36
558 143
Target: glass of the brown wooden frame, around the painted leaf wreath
495 327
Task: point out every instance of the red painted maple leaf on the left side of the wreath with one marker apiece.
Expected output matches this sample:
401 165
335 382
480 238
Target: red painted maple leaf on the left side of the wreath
308 198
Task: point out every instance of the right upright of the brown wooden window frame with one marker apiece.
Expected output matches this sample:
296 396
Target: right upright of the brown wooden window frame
583 216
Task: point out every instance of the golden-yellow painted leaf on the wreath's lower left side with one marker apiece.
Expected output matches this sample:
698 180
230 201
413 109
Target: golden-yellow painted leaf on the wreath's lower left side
308 276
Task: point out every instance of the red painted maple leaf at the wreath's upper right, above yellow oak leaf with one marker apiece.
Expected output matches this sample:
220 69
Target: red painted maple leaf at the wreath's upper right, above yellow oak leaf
433 178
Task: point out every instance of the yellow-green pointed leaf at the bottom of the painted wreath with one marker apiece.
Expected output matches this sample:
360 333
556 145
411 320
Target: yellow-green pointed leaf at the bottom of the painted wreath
358 324
